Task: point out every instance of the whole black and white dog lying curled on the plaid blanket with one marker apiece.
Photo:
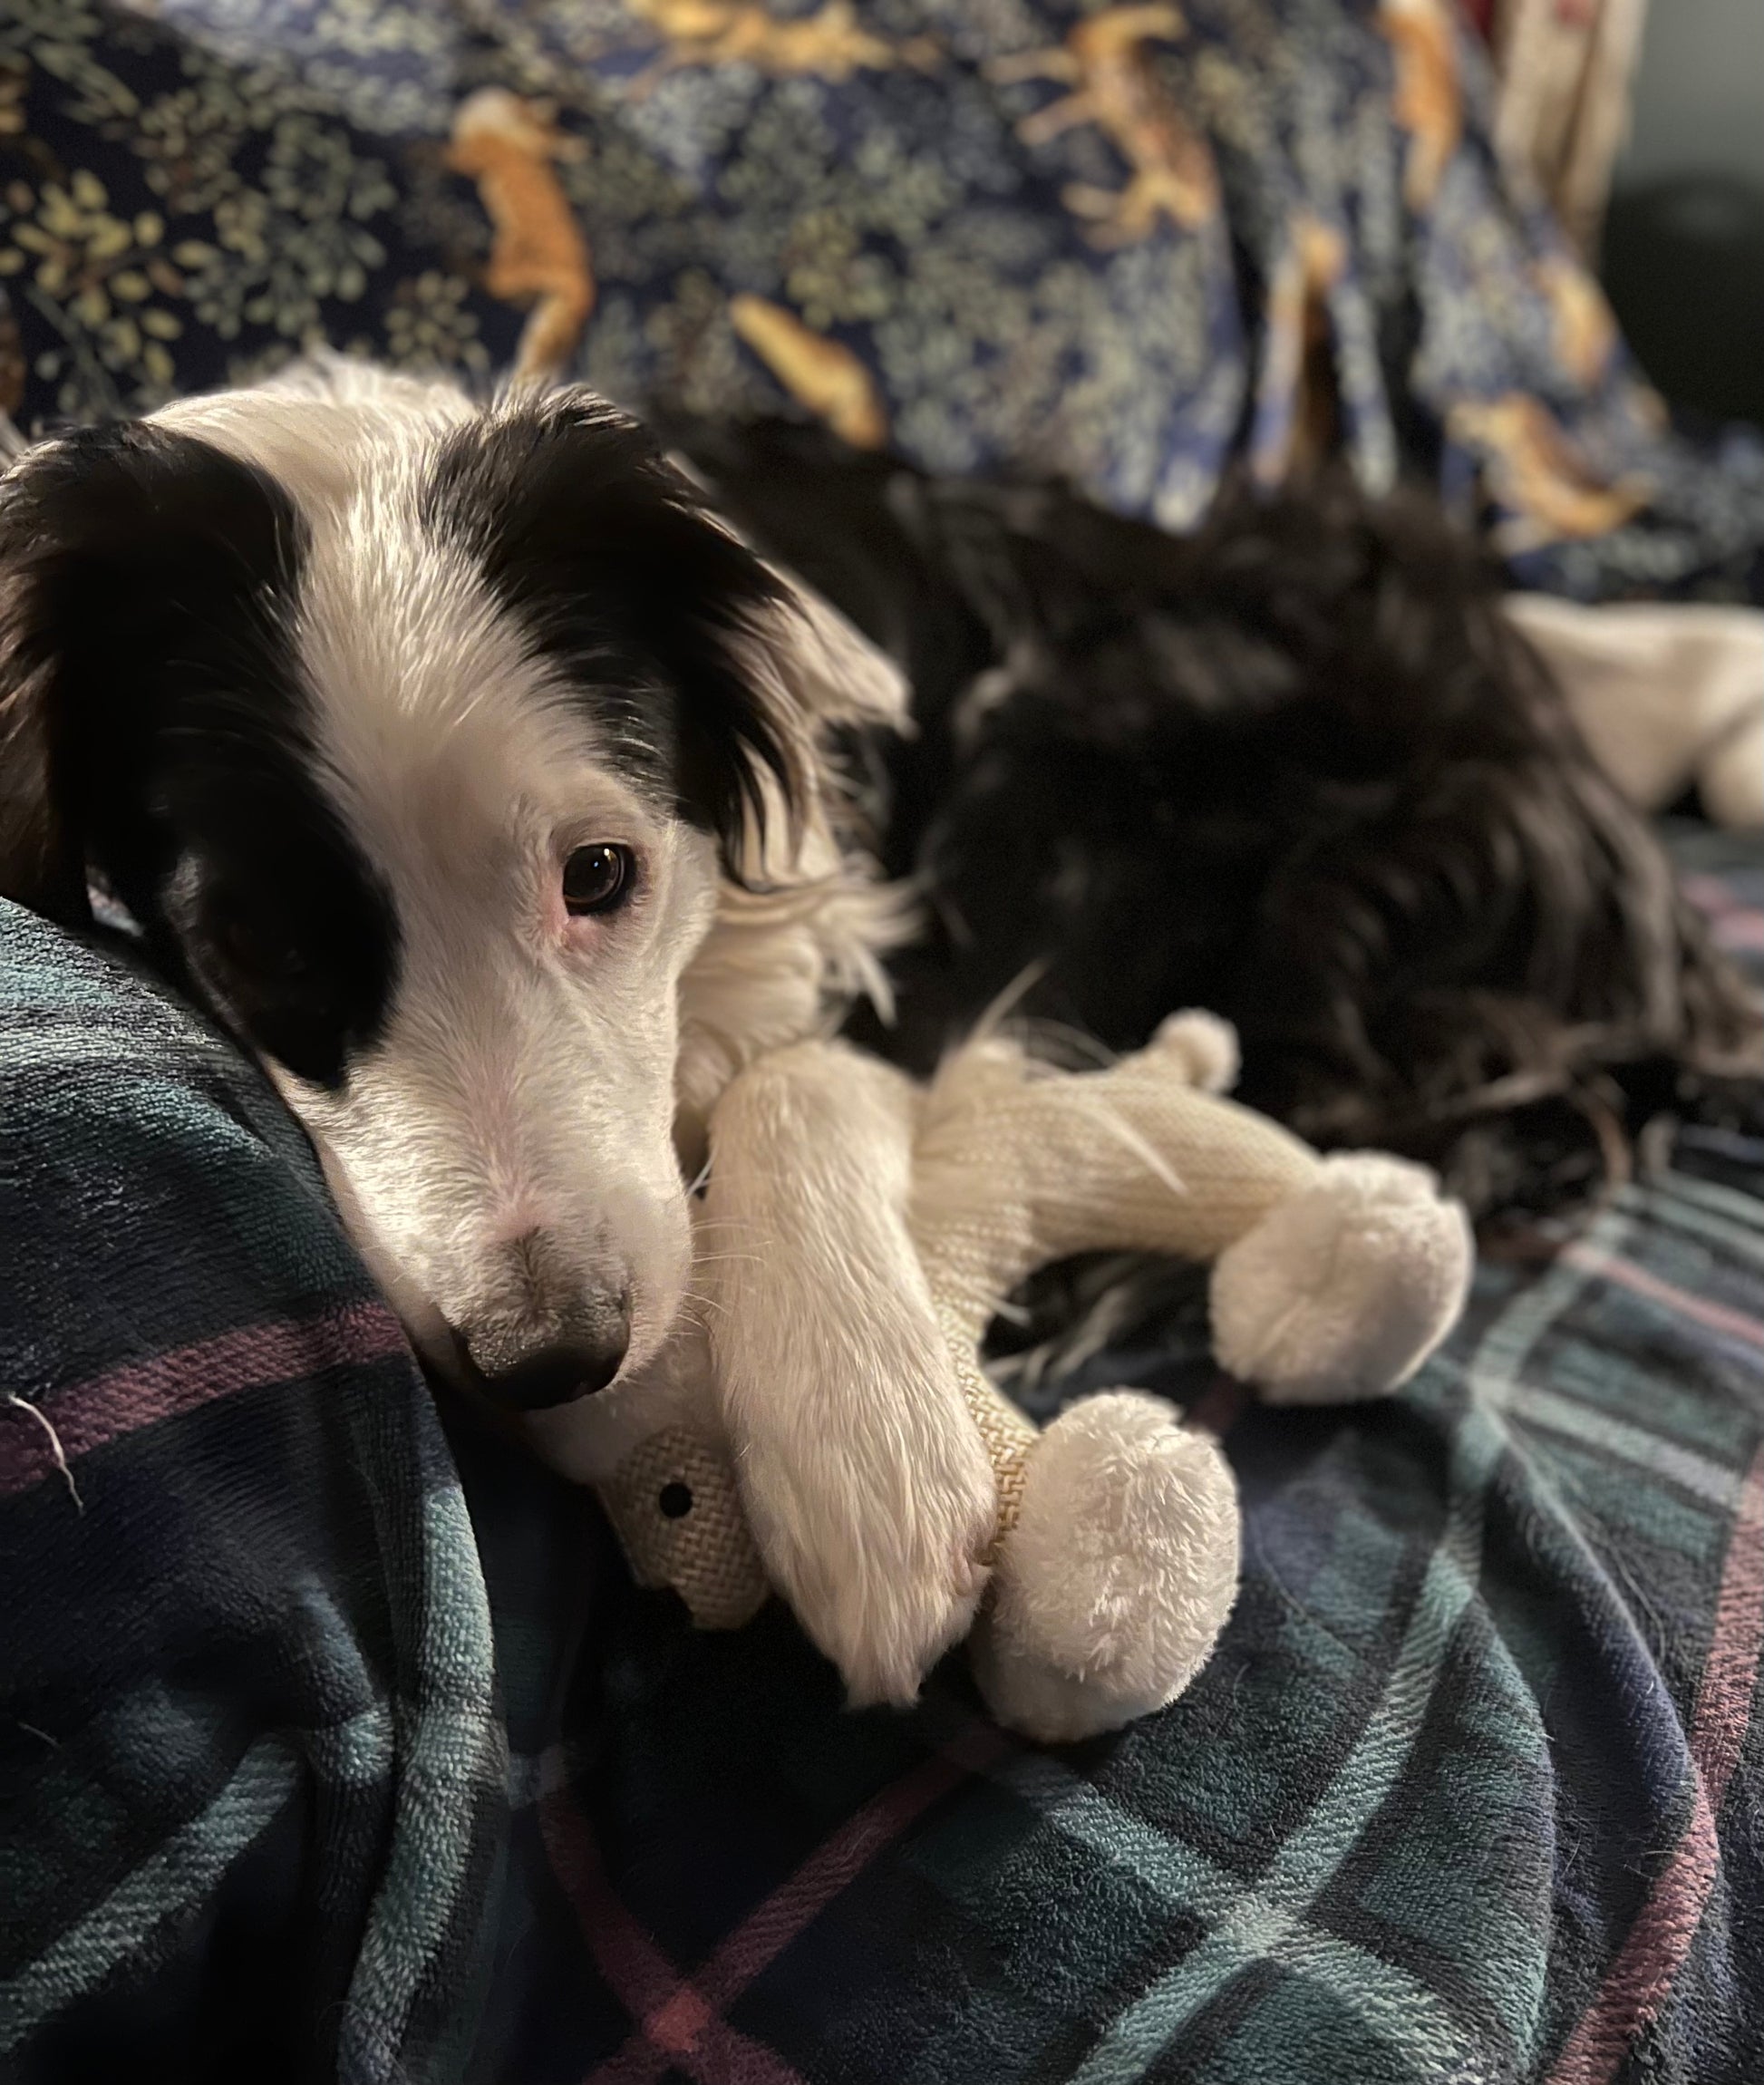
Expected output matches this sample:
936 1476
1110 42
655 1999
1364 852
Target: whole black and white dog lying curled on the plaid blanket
479 779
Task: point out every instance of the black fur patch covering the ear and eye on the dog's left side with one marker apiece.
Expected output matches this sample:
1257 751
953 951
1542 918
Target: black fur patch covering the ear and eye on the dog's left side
155 733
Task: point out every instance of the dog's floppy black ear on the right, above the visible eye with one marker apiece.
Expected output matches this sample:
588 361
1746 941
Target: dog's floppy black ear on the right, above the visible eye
602 551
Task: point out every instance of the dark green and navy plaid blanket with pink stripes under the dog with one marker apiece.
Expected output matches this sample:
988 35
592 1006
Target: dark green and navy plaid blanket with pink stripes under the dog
337 1746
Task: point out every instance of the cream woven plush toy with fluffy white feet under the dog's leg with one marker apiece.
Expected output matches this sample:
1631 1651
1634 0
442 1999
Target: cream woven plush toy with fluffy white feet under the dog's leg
1117 1548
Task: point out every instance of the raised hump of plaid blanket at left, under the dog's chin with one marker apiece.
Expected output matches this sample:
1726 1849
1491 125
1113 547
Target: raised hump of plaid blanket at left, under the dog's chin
253 1761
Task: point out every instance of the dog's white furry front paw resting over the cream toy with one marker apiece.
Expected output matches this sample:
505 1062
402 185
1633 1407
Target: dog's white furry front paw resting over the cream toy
875 1506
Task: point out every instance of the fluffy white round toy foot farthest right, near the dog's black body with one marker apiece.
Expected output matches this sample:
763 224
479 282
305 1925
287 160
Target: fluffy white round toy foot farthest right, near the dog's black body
1346 1290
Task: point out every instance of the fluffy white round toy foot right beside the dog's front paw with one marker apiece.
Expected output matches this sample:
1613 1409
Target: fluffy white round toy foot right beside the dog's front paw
1119 1575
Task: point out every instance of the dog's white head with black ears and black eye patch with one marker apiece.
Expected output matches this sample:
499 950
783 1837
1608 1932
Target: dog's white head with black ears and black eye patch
418 739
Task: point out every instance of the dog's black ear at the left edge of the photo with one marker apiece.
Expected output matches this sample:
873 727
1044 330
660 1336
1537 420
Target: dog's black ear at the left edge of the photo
116 547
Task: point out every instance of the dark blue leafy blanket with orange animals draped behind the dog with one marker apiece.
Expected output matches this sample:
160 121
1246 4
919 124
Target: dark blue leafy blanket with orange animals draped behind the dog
1133 243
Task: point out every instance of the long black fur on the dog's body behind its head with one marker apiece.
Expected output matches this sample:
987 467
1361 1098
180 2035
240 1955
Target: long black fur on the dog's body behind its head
1298 770
